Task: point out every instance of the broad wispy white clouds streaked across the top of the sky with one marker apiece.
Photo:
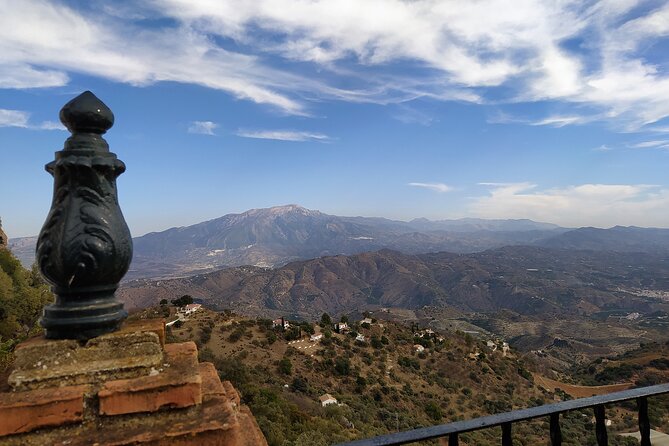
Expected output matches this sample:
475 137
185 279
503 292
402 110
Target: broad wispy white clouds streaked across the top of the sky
448 50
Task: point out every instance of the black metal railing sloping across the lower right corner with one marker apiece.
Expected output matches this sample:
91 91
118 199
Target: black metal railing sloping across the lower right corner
553 411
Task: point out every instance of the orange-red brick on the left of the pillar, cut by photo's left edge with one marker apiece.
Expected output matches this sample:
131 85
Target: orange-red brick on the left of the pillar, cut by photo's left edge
26 411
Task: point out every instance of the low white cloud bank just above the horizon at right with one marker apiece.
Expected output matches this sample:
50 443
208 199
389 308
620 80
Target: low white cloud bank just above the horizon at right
601 205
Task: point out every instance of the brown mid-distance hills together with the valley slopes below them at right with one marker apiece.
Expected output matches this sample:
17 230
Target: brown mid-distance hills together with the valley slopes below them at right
599 303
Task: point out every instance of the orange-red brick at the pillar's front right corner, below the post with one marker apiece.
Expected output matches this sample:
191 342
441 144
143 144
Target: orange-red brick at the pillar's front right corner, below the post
178 385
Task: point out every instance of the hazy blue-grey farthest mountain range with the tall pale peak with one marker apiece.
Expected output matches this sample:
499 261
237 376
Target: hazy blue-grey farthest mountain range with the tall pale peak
275 236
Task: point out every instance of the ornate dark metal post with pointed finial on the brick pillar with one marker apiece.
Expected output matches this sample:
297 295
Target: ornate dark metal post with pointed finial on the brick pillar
84 247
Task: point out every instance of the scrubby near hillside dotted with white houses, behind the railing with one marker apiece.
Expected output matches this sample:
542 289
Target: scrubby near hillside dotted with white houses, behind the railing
381 384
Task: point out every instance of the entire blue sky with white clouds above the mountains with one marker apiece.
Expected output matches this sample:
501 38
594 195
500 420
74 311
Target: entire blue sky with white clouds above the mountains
555 111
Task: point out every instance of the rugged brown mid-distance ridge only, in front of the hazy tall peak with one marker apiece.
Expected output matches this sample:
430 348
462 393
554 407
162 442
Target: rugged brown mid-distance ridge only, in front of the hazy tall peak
526 280
